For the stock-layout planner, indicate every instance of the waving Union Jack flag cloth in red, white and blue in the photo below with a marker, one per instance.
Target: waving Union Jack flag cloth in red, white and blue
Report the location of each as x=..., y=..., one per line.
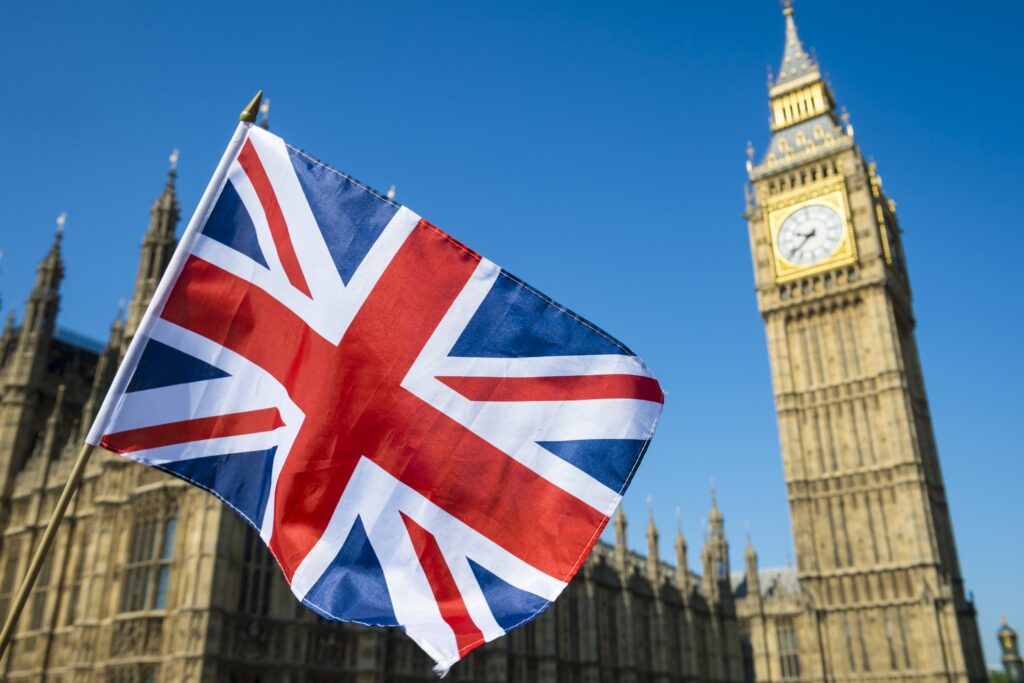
x=422, y=440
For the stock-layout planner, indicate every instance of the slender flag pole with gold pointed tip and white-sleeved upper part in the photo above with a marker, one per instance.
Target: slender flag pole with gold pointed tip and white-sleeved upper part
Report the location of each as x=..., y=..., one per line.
x=247, y=118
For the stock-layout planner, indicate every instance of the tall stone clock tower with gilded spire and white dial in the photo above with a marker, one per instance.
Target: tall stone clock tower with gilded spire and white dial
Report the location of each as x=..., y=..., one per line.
x=880, y=582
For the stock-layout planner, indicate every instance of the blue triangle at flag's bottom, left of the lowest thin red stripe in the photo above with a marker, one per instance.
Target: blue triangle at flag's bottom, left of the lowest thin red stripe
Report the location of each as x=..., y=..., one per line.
x=353, y=588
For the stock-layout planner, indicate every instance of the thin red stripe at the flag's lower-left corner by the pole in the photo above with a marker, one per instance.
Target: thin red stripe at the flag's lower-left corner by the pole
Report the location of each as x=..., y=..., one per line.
x=251, y=422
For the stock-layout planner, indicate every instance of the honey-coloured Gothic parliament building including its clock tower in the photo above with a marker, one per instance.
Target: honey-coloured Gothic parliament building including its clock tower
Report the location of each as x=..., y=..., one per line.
x=153, y=581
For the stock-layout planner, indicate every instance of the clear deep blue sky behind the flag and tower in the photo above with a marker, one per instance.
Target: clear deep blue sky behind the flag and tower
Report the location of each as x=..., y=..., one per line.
x=595, y=150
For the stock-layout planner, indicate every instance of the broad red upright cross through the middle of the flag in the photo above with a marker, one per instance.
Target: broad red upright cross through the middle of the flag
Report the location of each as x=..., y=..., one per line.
x=355, y=406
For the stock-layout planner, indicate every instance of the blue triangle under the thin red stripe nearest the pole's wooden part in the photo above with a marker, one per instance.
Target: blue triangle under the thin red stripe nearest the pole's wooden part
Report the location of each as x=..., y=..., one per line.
x=243, y=480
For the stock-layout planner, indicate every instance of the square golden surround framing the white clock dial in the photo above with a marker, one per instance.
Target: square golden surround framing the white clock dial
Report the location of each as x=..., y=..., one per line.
x=833, y=197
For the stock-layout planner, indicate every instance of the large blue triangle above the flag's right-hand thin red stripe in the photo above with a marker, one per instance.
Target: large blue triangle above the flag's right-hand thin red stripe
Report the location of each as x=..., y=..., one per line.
x=516, y=322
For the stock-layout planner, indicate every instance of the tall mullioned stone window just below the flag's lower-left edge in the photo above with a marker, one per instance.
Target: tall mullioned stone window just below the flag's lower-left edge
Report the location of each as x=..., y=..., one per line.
x=148, y=572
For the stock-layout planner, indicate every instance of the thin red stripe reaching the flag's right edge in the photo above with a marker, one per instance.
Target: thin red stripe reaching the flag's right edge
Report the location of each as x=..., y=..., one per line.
x=584, y=388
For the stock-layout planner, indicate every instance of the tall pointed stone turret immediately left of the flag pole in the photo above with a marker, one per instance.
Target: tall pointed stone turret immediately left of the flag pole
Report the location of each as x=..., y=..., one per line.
x=158, y=246
